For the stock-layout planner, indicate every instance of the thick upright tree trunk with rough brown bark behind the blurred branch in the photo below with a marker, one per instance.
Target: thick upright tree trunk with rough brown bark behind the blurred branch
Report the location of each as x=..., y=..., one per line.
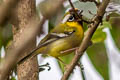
x=21, y=16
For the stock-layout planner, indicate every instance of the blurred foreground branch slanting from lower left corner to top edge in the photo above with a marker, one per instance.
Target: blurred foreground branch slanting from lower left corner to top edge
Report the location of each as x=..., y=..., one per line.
x=26, y=38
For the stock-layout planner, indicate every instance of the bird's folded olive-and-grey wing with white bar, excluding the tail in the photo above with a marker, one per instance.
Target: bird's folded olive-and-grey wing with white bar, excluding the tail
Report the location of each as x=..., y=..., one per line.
x=57, y=33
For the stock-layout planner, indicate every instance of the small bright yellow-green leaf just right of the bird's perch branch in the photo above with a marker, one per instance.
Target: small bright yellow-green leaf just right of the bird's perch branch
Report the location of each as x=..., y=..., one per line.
x=98, y=36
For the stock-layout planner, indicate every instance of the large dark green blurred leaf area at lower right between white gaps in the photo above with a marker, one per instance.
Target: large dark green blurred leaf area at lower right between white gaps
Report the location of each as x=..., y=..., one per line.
x=98, y=56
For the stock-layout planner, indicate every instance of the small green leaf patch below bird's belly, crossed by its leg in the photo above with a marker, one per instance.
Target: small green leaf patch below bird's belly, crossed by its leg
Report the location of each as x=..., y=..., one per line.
x=66, y=59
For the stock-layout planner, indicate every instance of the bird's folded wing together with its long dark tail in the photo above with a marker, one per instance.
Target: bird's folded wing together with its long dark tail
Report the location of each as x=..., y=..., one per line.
x=57, y=33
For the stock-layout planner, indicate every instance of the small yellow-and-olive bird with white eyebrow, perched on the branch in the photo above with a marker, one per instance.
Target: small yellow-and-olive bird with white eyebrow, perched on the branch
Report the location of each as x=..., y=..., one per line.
x=63, y=39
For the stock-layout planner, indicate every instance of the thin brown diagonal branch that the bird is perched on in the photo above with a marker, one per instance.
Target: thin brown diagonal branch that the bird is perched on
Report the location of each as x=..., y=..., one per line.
x=84, y=45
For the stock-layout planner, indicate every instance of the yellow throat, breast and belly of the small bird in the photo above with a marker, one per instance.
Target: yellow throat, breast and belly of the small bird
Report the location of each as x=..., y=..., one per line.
x=74, y=40
